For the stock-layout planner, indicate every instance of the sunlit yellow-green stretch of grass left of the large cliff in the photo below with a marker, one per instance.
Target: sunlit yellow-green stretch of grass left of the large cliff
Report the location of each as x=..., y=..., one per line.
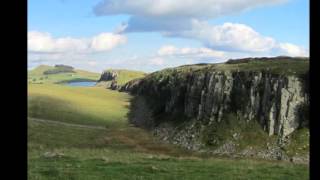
x=85, y=105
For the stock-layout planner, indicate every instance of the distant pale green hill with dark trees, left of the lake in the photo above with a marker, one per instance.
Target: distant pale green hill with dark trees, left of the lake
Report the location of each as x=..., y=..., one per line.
x=49, y=74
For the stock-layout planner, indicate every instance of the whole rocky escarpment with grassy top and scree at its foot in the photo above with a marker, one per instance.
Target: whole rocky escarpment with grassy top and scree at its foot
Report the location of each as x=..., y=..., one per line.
x=189, y=105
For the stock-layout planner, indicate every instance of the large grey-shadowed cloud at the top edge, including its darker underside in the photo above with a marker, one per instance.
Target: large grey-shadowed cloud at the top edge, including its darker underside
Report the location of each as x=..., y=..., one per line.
x=169, y=15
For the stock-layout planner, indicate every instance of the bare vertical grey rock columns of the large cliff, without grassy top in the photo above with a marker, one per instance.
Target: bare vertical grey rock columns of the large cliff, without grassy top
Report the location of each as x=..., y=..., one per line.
x=273, y=100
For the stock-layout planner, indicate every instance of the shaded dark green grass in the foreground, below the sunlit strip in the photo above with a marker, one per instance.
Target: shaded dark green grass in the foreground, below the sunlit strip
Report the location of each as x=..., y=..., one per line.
x=99, y=154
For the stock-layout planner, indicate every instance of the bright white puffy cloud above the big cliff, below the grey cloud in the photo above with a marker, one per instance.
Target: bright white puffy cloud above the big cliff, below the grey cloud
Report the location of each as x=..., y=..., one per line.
x=228, y=37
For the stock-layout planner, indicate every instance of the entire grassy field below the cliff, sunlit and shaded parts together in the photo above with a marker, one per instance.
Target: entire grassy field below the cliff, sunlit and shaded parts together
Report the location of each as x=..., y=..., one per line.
x=118, y=150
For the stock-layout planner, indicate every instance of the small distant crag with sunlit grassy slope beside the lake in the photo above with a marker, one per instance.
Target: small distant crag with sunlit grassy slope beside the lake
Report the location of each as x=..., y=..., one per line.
x=115, y=78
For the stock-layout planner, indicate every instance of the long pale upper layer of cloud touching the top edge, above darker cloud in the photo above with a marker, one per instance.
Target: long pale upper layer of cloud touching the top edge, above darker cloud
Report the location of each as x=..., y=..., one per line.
x=178, y=8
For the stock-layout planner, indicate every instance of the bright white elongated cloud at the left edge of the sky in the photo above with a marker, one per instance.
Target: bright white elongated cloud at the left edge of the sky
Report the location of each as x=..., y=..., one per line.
x=42, y=42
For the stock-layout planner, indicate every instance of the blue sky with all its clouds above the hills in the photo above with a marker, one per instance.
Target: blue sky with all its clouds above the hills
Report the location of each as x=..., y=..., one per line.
x=151, y=35
